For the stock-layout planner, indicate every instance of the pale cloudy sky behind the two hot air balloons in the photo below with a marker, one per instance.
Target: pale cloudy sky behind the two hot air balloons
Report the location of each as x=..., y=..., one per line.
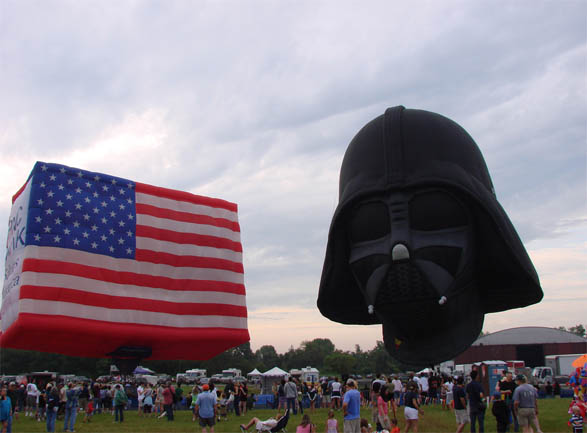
x=255, y=102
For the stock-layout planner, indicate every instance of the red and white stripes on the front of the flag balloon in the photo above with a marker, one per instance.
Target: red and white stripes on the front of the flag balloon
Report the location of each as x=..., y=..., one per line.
x=187, y=273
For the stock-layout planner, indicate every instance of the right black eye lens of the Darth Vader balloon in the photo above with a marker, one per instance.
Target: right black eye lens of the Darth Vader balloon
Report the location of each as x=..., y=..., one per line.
x=436, y=210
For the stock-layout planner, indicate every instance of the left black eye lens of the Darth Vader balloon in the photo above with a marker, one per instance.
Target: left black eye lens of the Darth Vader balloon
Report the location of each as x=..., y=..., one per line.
x=369, y=221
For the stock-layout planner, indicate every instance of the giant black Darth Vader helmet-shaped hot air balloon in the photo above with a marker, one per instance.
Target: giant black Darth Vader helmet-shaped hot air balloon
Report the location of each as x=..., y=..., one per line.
x=418, y=241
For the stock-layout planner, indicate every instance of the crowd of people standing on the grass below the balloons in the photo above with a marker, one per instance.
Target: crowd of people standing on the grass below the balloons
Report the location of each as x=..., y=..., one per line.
x=514, y=403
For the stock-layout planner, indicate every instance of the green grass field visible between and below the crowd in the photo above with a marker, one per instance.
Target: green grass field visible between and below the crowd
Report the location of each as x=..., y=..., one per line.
x=552, y=414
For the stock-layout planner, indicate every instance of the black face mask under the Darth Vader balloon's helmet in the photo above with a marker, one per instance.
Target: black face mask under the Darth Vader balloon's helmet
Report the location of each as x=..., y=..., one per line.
x=412, y=253
